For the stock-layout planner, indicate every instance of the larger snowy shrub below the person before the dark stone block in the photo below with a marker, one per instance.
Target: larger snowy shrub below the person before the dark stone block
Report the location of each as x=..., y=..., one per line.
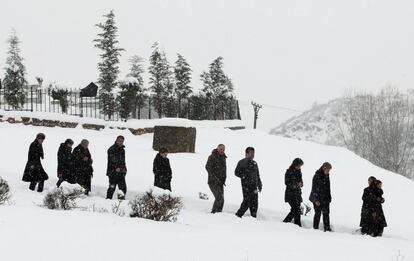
x=163, y=207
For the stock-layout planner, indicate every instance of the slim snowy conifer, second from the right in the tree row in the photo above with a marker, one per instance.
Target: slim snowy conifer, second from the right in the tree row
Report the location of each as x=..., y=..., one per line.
x=182, y=75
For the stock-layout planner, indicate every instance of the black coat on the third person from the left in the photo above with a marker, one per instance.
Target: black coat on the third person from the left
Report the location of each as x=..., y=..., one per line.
x=83, y=168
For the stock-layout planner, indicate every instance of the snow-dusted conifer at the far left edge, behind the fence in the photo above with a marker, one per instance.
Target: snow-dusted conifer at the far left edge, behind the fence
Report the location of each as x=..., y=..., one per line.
x=14, y=78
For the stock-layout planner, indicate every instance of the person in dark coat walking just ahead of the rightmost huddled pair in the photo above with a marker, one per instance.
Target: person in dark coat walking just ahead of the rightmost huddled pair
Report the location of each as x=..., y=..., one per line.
x=321, y=196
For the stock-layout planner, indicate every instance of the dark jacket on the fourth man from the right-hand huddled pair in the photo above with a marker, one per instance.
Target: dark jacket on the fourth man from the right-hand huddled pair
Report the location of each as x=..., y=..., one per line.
x=248, y=171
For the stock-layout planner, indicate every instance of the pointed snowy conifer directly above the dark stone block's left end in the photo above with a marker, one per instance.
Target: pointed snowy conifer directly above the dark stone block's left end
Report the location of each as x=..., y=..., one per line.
x=160, y=79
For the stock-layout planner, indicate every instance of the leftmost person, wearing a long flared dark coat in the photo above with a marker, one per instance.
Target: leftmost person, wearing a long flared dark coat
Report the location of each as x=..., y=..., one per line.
x=34, y=172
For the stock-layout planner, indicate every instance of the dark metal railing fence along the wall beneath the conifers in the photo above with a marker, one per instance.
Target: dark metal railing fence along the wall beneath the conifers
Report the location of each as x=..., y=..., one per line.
x=41, y=100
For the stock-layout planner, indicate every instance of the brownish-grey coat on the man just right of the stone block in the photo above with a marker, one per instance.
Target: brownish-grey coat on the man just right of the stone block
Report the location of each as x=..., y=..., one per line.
x=216, y=168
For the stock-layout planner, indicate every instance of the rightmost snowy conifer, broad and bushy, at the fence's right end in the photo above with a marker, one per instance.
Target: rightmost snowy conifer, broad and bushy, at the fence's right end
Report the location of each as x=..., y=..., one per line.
x=218, y=88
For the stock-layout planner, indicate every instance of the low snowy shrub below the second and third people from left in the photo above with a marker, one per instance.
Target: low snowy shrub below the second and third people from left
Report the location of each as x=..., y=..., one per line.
x=62, y=198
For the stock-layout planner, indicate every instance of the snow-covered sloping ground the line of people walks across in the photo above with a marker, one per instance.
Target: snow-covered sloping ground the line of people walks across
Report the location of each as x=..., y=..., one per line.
x=30, y=232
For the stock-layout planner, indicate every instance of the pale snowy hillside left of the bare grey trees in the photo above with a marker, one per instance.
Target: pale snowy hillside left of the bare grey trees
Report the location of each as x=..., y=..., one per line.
x=317, y=124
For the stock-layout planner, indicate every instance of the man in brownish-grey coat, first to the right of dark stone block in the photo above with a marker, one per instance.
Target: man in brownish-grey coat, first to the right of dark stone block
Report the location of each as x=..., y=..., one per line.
x=217, y=172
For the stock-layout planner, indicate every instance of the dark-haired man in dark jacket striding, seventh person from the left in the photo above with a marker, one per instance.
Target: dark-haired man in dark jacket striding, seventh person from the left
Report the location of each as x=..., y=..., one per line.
x=248, y=171
